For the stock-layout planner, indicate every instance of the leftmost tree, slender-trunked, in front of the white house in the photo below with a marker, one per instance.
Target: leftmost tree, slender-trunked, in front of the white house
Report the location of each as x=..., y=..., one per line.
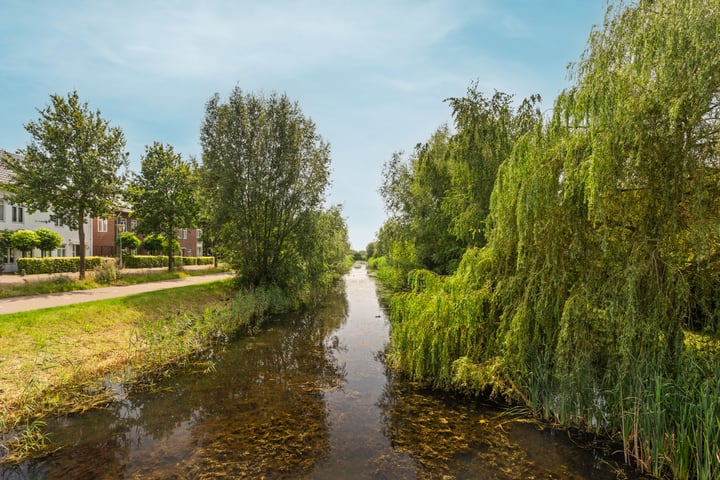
x=73, y=166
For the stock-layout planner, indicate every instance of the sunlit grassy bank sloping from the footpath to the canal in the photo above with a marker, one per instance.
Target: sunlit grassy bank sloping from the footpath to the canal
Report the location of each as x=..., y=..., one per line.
x=52, y=360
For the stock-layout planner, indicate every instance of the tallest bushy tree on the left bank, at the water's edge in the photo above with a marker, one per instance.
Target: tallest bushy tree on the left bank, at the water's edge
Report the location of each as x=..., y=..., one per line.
x=265, y=173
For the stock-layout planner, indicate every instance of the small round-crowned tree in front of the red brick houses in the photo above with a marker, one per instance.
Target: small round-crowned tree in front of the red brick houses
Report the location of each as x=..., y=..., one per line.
x=164, y=194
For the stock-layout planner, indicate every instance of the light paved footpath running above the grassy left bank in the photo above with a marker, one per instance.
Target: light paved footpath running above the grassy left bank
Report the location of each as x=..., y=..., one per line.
x=35, y=302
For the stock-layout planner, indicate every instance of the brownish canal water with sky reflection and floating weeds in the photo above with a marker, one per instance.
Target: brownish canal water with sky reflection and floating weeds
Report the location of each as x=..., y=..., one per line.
x=308, y=398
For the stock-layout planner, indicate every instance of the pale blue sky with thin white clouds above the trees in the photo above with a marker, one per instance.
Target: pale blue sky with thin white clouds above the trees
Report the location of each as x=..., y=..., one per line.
x=372, y=74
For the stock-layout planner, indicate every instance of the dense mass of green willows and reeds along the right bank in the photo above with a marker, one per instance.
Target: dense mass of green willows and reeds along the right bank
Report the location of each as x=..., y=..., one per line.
x=583, y=283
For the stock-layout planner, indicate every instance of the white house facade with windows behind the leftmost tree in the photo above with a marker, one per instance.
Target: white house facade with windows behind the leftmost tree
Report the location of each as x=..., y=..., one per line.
x=16, y=217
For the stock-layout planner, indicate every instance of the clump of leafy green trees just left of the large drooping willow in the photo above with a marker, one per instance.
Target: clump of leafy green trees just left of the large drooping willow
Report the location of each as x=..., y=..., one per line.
x=439, y=198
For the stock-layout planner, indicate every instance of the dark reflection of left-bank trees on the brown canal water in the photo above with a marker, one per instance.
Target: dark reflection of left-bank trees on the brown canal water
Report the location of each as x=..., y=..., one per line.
x=261, y=413
